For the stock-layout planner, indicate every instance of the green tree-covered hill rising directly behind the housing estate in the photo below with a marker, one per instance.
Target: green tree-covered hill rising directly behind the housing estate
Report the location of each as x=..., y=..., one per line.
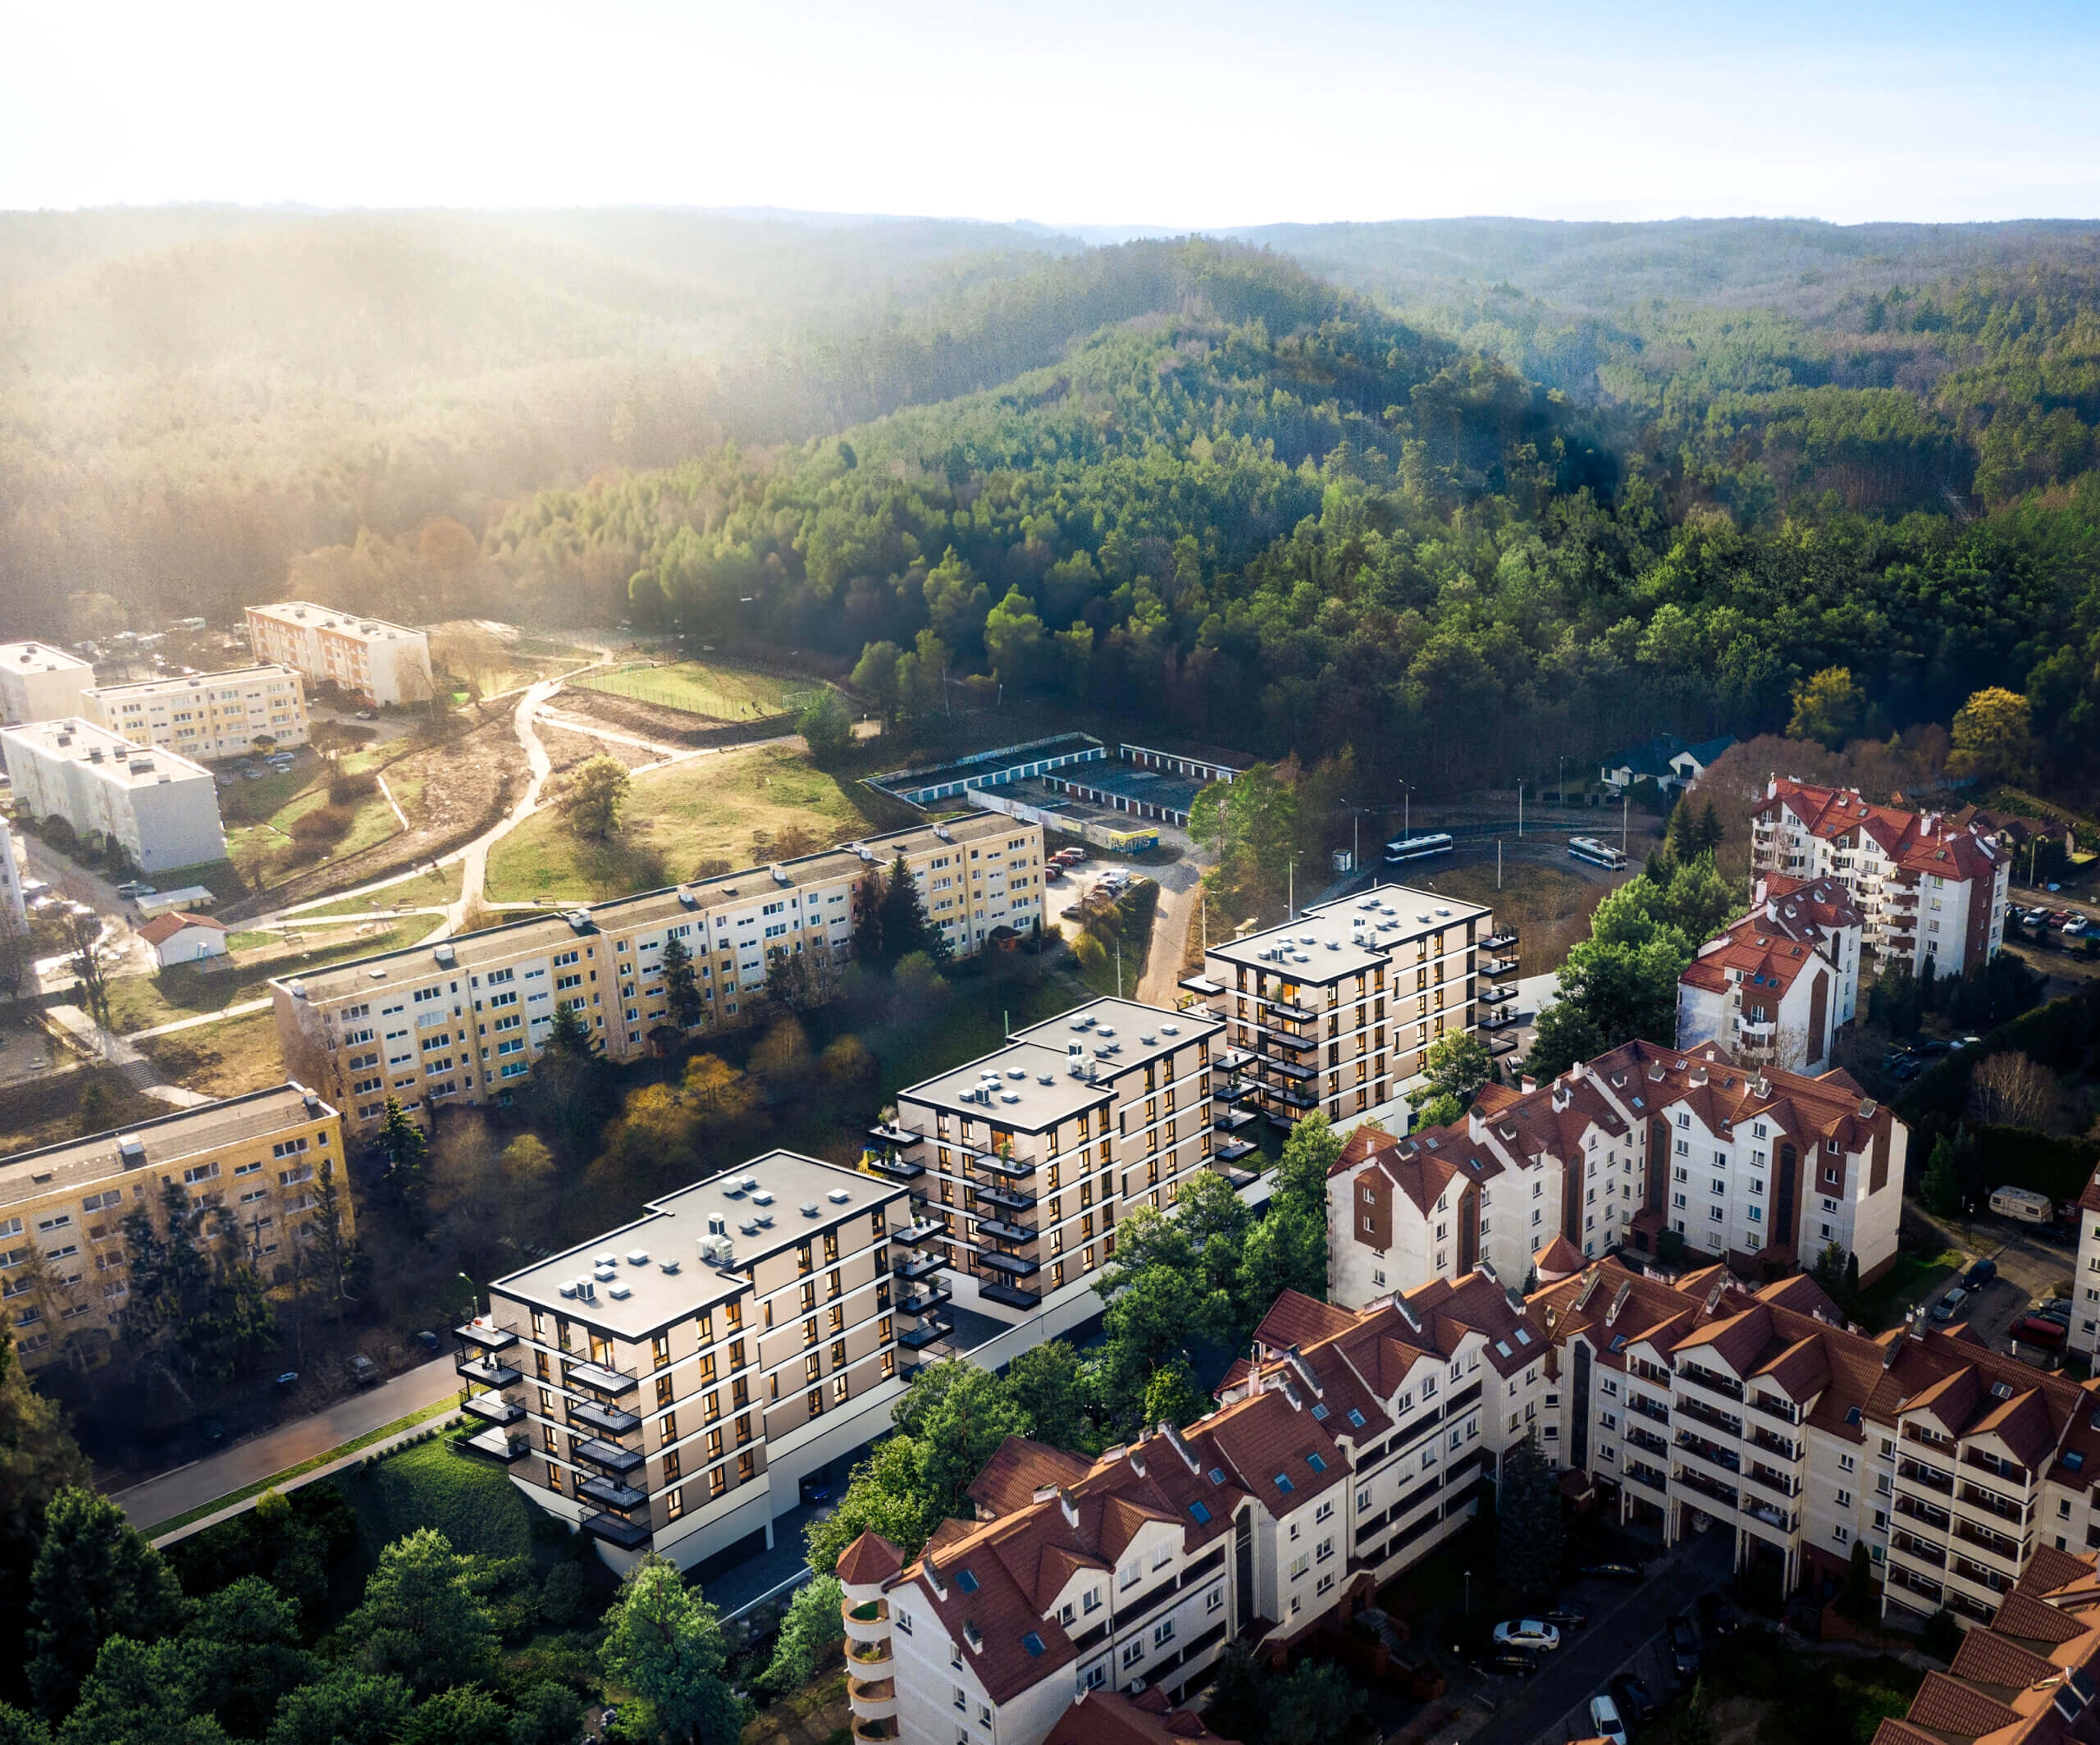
x=1286, y=522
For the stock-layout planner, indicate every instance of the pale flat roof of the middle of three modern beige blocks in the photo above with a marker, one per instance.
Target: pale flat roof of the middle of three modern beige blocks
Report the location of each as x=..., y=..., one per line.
x=1034, y=1087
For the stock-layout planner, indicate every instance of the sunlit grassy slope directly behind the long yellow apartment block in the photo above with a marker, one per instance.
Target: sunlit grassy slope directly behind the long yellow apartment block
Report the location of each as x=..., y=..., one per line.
x=734, y=810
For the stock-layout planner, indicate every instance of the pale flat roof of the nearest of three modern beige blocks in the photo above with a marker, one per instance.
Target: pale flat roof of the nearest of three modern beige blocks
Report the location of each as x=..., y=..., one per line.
x=669, y=1236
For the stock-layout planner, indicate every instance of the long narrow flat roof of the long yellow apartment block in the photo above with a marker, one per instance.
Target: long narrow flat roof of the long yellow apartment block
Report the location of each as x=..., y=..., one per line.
x=652, y=908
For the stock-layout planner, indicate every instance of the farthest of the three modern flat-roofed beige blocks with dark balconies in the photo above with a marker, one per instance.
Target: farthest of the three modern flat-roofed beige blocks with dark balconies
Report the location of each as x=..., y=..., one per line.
x=1337, y=1009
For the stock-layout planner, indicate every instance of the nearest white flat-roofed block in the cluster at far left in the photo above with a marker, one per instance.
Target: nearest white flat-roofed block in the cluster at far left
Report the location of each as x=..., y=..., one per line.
x=159, y=807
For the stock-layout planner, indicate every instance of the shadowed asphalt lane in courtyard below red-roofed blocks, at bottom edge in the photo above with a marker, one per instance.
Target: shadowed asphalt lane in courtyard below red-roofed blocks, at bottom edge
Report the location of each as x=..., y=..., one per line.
x=1624, y=1633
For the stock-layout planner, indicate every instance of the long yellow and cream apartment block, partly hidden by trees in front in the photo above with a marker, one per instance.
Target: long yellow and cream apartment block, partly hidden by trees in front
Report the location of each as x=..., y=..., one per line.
x=465, y=1019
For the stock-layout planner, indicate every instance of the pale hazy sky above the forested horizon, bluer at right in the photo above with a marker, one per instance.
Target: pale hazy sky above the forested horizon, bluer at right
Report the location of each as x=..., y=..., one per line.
x=1143, y=112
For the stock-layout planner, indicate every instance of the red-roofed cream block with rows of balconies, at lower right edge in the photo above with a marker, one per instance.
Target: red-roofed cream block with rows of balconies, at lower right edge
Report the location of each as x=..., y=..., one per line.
x=1765, y=1414
